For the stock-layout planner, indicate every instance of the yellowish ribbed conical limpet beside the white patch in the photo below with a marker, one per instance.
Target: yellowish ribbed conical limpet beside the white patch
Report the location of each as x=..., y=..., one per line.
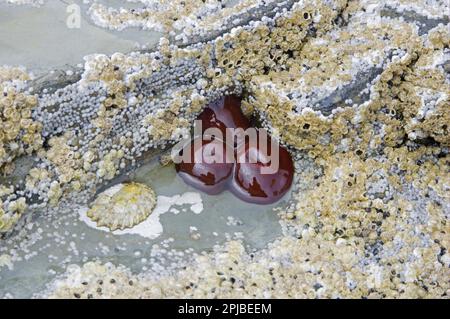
x=122, y=206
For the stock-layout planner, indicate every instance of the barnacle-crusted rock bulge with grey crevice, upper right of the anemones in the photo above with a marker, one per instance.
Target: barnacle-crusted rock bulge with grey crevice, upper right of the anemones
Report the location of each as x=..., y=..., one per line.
x=405, y=87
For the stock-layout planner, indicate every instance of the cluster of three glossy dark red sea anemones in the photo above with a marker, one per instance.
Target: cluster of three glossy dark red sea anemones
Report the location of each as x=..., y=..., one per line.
x=249, y=172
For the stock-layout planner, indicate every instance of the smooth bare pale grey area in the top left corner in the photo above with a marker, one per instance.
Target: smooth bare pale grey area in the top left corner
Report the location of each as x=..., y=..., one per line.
x=29, y=34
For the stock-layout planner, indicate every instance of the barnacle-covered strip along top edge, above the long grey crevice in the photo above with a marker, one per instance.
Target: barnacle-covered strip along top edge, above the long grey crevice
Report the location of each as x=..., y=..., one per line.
x=181, y=20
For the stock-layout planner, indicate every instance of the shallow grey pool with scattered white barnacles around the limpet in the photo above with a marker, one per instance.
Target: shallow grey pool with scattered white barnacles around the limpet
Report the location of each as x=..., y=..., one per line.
x=54, y=241
